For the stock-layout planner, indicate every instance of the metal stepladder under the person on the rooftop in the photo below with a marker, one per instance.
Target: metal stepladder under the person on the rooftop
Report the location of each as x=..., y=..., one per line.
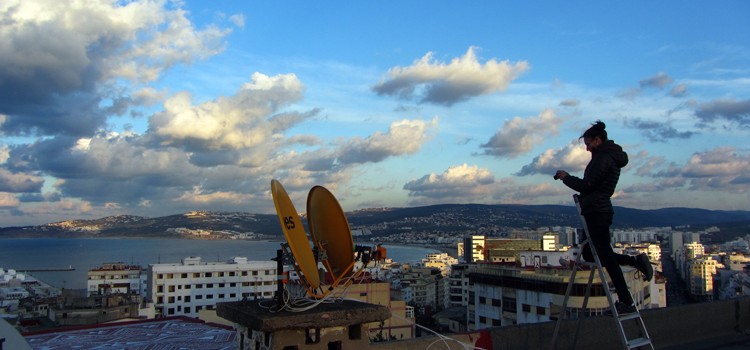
x=643, y=341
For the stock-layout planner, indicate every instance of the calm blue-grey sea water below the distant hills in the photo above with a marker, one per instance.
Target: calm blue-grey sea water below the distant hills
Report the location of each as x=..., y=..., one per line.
x=83, y=254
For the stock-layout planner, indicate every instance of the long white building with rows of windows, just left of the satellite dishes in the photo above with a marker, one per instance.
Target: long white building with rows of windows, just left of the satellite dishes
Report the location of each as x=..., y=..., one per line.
x=193, y=285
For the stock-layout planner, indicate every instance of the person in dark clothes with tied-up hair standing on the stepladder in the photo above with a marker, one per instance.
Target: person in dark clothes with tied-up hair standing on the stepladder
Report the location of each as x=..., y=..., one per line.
x=597, y=186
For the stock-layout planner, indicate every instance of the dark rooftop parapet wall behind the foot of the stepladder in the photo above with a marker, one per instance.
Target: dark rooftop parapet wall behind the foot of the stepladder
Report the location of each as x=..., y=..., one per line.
x=695, y=326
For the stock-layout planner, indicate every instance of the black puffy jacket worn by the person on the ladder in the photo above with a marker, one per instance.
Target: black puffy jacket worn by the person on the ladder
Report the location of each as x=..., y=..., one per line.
x=600, y=178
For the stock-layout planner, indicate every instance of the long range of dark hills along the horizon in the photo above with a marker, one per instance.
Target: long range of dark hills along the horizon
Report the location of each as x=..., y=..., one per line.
x=458, y=218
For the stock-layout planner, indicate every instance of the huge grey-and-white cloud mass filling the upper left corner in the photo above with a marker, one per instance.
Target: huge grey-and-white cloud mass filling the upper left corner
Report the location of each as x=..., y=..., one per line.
x=63, y=63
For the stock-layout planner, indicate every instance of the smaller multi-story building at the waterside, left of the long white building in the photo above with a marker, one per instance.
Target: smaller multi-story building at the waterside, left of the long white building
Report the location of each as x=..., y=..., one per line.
x=116, y=278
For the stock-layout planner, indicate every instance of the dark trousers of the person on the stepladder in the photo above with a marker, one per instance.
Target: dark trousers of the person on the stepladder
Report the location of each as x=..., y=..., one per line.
x=598, y=226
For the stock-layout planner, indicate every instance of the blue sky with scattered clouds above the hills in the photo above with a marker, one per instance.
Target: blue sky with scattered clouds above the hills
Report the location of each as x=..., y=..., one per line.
x=156, y=108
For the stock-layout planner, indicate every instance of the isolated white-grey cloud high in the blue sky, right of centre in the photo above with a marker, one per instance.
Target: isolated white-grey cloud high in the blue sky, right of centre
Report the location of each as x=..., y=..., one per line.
x=463, y=78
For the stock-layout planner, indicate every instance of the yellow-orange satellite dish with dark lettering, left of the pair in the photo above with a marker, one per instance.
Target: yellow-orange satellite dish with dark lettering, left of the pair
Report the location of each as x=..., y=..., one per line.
x=295, y=234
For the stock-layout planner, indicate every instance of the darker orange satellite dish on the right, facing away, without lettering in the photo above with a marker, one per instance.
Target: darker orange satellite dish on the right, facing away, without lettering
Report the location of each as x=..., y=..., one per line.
x=330, y=231
